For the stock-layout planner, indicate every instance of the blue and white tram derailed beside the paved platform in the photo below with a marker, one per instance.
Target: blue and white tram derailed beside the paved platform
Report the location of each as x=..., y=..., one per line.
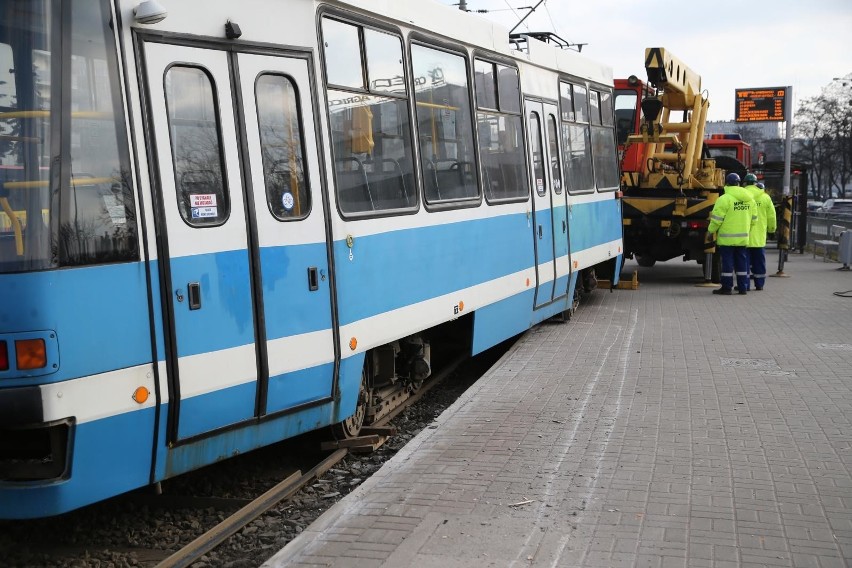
x=224, y=227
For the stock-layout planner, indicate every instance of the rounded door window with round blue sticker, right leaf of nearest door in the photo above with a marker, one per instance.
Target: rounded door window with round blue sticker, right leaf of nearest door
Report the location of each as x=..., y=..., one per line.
x=279, y=124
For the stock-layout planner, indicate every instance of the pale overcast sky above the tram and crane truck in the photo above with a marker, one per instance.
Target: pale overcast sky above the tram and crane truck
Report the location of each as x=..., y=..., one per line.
x=731, y=44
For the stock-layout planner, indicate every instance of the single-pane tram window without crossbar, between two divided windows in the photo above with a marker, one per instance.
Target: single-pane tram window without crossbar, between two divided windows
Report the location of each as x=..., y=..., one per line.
x=444, y=123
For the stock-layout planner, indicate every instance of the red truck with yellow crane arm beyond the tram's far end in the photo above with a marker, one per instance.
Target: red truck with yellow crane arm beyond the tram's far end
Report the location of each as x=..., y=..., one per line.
x=669, y=178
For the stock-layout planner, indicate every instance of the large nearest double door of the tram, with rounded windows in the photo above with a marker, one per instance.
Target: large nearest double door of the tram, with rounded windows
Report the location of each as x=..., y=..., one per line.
x=242, y=241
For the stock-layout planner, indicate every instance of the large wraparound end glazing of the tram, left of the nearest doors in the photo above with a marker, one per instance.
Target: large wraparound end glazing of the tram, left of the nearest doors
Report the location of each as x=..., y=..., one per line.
x=66, y=200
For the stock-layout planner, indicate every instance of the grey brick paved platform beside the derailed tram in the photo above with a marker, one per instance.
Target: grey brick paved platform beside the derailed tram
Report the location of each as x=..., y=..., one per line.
x=659, y=427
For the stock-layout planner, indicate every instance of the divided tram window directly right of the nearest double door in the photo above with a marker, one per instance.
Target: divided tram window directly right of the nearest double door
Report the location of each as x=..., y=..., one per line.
x=371, y=131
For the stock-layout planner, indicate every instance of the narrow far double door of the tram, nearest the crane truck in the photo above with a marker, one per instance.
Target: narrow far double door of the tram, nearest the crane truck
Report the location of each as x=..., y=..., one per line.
x=550, y=224
